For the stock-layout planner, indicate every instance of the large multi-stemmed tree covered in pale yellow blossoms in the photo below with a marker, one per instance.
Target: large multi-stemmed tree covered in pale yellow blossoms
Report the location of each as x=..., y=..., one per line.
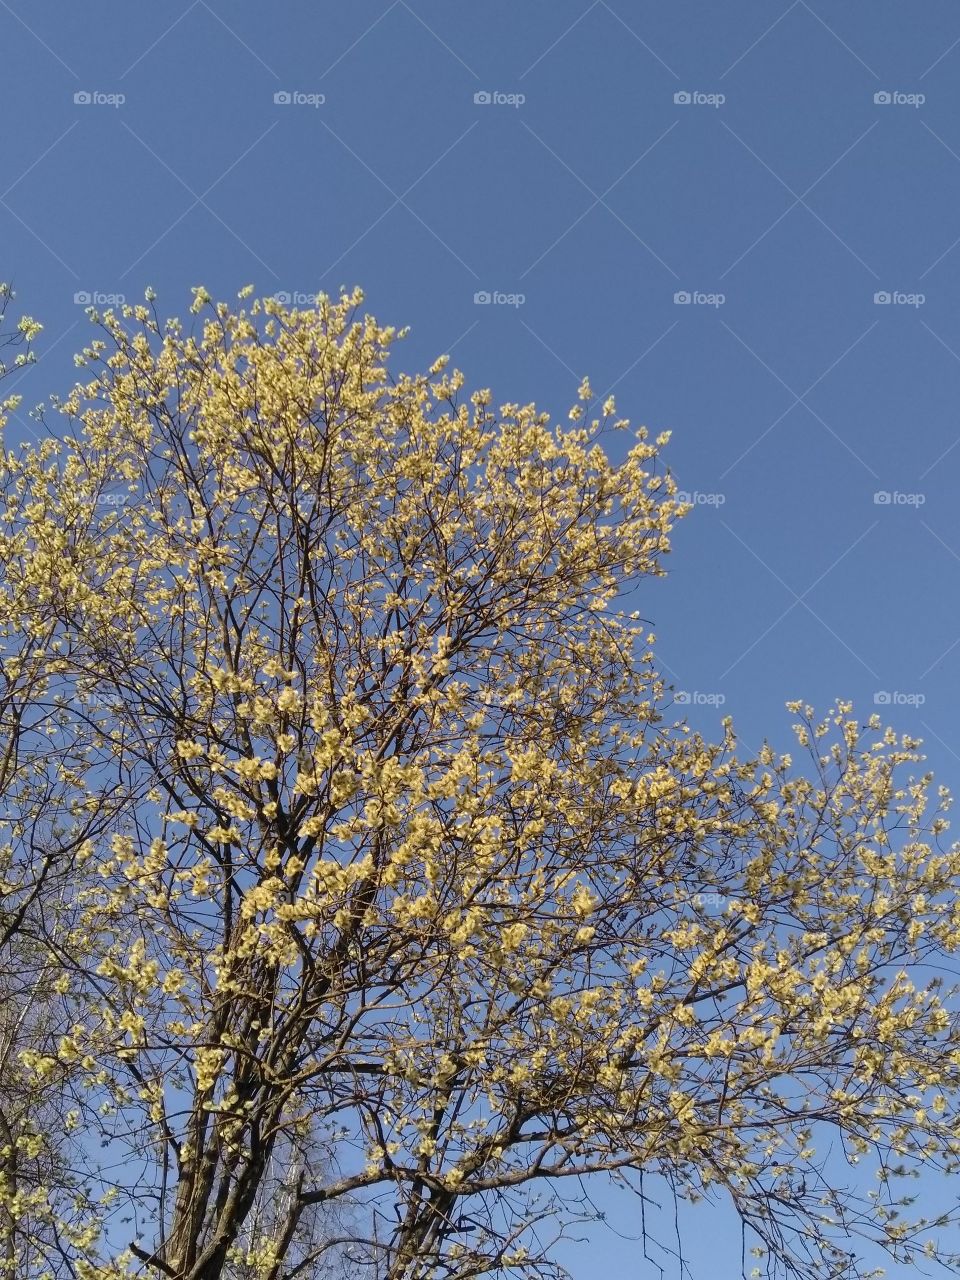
x=408, y=892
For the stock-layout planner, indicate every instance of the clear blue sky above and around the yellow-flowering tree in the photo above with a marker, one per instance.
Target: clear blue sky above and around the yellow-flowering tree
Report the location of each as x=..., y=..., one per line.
x=598, y=198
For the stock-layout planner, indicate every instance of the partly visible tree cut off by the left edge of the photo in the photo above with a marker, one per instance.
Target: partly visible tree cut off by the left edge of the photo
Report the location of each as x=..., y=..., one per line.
x=48, y=813
